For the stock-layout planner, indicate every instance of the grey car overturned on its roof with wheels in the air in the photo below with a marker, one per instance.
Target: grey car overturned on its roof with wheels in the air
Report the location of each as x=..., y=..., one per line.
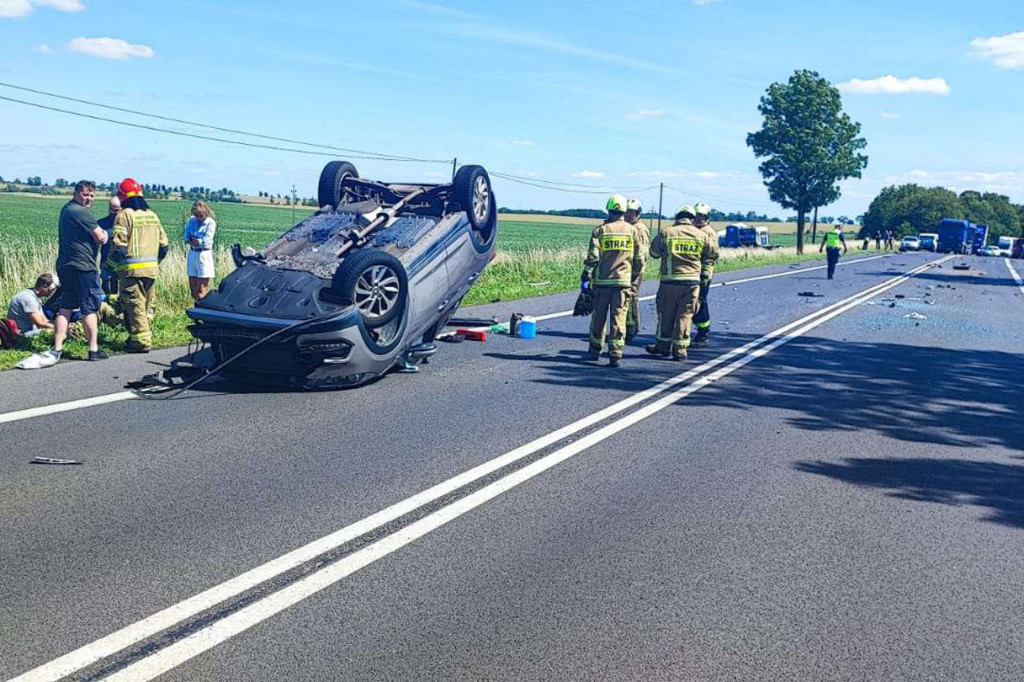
x=360, y=287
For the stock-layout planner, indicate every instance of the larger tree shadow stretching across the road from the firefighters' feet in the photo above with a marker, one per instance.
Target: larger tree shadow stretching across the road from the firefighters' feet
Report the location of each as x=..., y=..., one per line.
x=949, y=397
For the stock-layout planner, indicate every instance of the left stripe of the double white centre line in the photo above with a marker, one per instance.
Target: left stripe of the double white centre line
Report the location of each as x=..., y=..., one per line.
x=137, y=632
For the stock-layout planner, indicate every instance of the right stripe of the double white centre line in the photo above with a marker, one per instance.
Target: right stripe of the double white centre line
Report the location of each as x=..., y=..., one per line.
x=221, y=631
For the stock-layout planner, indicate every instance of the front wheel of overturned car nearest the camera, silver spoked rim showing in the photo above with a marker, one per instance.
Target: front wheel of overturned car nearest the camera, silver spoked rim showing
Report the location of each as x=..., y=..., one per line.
x=375, y=283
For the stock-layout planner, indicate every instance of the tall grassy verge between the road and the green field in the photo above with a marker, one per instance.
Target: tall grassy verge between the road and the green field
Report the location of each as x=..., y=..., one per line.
x=517, y=274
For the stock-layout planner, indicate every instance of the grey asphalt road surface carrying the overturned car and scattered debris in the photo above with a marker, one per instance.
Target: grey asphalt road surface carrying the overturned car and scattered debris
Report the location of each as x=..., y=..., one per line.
x=847, y=505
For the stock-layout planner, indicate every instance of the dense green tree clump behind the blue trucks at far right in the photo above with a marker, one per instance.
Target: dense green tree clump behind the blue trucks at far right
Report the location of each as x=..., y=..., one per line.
x=911, y=209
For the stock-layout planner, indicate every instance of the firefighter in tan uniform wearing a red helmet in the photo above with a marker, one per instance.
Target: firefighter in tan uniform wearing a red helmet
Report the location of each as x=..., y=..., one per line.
x=140, y=245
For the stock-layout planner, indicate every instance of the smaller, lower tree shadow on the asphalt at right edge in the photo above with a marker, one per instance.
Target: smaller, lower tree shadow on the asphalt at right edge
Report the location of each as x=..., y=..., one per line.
x=999, y=487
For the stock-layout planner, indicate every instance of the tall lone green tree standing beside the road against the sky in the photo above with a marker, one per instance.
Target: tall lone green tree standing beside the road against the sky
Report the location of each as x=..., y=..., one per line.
x=808, y=145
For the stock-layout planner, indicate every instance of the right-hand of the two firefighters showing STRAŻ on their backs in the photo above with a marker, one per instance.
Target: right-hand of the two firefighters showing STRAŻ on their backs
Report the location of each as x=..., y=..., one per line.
x=686, y=251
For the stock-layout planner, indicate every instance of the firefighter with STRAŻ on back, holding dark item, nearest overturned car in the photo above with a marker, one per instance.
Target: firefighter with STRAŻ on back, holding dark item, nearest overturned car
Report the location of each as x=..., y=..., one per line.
x=612, y=260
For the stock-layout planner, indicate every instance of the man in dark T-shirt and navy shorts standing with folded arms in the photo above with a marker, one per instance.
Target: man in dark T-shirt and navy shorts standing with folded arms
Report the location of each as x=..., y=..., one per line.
x=78, y=271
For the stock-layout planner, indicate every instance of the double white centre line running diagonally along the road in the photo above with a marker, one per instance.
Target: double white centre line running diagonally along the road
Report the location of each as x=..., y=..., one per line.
x=667, y=394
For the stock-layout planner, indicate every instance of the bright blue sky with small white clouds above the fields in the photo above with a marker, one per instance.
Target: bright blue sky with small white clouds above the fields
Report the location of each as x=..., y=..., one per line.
x=603, y=95
